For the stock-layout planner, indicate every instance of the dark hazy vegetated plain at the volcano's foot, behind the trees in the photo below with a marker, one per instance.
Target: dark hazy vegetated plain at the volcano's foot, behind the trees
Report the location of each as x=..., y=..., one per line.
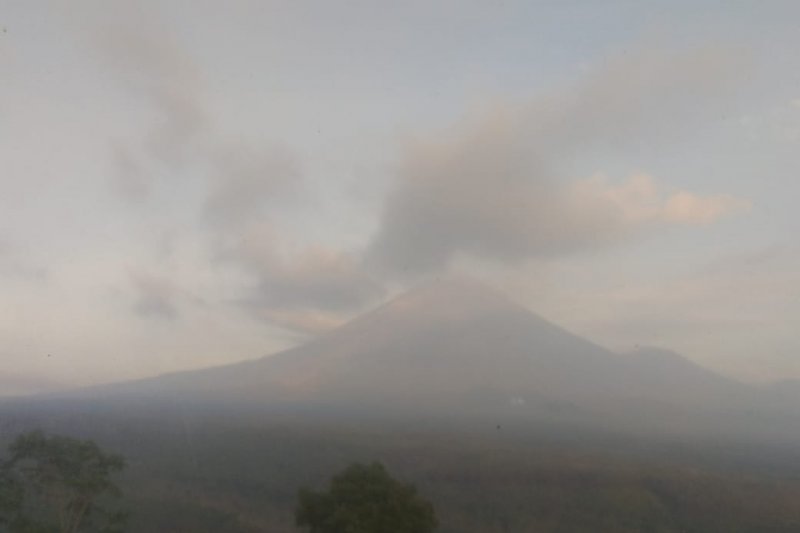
x=242, y=476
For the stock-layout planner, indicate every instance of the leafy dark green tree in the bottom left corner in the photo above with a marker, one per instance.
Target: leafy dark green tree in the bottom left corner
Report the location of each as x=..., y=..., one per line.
x=56, y=483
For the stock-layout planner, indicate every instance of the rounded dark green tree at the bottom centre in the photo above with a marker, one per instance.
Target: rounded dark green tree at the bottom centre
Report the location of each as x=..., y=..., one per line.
x=365, y=499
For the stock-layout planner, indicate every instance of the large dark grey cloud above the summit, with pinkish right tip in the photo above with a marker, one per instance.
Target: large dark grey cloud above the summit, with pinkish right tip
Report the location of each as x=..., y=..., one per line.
x=490, y=186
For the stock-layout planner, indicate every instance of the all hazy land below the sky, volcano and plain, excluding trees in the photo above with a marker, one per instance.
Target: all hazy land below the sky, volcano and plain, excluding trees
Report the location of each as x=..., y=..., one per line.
x=506, y=421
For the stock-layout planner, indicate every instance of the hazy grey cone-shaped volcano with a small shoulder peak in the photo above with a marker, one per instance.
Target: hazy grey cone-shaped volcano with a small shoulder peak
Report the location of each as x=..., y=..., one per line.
x=447, y=346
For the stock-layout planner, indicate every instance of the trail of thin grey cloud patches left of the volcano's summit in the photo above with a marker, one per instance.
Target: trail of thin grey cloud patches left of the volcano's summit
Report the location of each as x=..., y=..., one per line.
x=301, y=290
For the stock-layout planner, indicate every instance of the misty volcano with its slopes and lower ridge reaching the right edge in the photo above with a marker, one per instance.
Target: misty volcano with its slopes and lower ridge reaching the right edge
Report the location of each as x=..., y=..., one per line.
x=458, y=349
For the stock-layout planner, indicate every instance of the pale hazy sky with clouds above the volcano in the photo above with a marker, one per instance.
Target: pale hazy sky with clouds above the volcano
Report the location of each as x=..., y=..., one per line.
x=187, y=184
